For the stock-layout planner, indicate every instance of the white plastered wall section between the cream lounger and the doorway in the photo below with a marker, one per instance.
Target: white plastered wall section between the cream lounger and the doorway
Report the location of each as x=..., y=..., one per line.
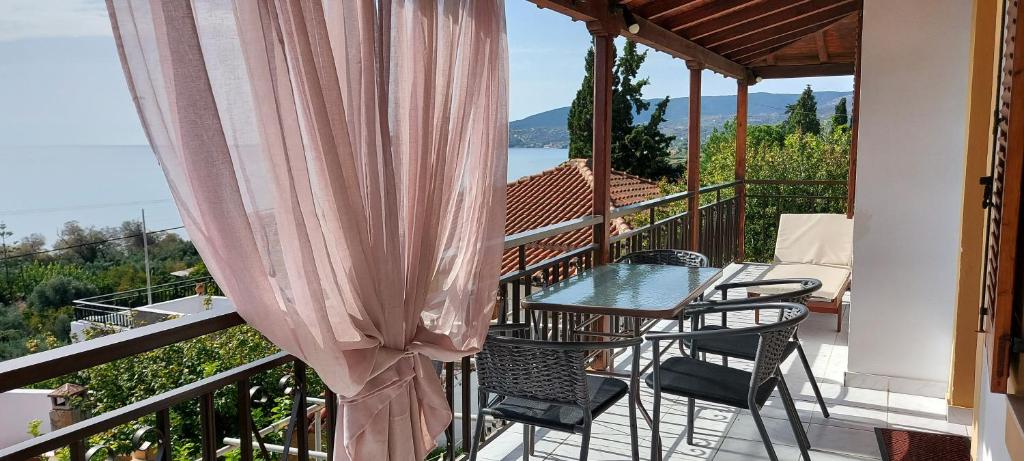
x=910, y=177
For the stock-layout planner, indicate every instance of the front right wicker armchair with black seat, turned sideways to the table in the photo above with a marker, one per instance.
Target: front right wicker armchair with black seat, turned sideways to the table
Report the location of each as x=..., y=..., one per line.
x=696, y=380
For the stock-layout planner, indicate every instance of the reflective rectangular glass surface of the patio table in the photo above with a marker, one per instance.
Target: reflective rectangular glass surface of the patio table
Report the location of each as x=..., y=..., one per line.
x=638, y=290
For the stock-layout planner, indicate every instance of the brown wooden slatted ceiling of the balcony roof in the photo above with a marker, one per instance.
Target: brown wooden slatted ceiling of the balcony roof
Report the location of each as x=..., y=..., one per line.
x=743, y=39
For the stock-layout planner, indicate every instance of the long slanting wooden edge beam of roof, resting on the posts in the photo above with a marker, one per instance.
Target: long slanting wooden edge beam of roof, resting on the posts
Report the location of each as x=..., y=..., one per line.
x=651, y=34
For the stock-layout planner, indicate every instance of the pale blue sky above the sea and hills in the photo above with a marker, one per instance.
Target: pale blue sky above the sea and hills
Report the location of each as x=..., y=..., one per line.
x=64, y=86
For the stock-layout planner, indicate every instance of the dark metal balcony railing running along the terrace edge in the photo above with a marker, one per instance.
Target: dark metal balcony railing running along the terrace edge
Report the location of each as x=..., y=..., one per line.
x=661, y=223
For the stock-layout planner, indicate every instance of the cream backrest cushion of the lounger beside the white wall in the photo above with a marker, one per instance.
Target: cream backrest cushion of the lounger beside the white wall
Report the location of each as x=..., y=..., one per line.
x=816, y=239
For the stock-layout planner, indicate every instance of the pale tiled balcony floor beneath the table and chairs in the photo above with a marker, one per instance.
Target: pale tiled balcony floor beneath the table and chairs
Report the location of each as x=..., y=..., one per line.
x=724, y=434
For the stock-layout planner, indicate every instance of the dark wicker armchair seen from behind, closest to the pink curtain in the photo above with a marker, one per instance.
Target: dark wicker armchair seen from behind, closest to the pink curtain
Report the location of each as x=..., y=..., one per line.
x=545, y=384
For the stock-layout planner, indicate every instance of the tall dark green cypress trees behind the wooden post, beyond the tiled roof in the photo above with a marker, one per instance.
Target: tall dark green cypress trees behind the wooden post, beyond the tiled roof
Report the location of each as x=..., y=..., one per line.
x=642, y=150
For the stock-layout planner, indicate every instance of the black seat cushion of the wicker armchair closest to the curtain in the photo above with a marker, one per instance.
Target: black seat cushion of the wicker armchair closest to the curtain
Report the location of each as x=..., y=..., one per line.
x=604, y=394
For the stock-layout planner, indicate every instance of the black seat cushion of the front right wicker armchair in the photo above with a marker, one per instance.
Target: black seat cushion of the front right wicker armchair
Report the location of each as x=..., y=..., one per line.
x=706, y=382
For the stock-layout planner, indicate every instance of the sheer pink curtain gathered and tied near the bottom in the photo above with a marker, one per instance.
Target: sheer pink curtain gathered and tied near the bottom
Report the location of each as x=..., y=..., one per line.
x=340, y=165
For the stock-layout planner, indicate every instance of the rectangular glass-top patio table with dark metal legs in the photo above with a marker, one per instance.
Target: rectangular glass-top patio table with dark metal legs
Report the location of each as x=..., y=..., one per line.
x=636, y=292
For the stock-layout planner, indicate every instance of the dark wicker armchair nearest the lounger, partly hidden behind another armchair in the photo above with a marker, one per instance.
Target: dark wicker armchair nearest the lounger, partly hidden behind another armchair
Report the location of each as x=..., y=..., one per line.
x=745, y=348
